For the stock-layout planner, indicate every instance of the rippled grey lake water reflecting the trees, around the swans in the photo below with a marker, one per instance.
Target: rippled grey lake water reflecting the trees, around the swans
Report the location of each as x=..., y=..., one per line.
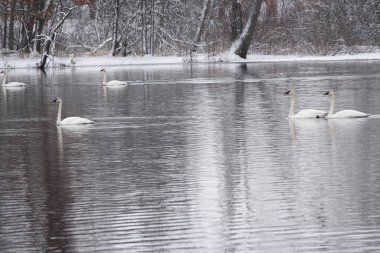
x=188, y=158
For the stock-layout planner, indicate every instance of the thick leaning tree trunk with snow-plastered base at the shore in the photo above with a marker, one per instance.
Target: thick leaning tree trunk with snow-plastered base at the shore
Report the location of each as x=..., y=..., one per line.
x=241, y=45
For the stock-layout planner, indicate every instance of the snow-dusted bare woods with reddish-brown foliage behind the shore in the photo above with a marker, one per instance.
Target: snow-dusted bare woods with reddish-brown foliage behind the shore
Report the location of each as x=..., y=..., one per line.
x=178, y=27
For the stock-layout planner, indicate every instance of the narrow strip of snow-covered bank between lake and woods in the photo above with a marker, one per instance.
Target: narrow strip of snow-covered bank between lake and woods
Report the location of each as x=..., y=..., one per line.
x=89, y=61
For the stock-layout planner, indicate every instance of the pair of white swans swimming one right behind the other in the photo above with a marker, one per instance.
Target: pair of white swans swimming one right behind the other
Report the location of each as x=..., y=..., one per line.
x=312, y=113
